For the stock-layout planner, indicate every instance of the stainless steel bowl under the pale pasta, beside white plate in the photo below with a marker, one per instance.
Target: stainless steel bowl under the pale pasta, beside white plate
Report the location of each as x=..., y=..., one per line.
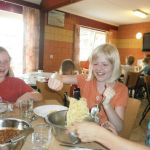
x=58, y=122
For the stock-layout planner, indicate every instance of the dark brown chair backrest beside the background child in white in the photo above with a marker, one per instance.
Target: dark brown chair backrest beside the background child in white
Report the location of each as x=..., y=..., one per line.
x=132, y=78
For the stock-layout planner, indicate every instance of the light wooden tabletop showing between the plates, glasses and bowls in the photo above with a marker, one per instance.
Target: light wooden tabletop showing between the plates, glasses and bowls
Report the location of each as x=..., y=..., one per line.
x=54, y=144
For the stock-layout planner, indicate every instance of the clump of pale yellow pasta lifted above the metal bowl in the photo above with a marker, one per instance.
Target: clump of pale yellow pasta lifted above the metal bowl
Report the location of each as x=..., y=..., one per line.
x=77, y=111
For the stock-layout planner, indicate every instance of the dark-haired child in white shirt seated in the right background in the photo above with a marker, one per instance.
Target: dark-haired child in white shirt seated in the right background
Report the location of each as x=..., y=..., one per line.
x=128, y=67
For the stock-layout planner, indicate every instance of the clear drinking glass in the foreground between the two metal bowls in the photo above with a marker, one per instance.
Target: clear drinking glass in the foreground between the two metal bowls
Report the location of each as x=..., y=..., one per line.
x=41, y=137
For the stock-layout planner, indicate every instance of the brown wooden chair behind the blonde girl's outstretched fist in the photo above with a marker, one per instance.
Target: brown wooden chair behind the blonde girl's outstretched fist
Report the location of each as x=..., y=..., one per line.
x=49, y=94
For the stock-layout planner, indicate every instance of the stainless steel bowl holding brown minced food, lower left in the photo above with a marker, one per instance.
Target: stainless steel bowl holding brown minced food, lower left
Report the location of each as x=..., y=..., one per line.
x=16, y=124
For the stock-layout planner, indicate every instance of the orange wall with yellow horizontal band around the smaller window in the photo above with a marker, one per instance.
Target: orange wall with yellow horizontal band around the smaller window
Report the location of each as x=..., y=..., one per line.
x=59, y=42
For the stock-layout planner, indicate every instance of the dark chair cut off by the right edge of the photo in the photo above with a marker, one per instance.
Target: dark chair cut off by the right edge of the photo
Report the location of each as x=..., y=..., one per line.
x=147, y=87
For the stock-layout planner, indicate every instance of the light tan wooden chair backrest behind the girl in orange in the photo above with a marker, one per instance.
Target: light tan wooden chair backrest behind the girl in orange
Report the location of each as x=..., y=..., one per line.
x=130, y=116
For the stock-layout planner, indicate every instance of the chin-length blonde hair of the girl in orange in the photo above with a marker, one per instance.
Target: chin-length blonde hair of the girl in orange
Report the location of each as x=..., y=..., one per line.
x=113, y=57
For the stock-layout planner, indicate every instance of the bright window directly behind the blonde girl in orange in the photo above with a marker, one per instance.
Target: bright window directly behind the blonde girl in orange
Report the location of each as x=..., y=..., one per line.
x=90, y=39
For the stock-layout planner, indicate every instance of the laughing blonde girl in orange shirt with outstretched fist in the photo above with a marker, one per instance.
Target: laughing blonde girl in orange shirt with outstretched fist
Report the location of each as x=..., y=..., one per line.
x=104, y=71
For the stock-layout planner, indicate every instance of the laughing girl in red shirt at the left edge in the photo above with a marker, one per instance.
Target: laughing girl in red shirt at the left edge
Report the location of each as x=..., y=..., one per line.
x=13, y=89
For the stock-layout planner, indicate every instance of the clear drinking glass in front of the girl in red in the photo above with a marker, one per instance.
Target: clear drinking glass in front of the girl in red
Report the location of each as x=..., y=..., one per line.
x=26, y=109
